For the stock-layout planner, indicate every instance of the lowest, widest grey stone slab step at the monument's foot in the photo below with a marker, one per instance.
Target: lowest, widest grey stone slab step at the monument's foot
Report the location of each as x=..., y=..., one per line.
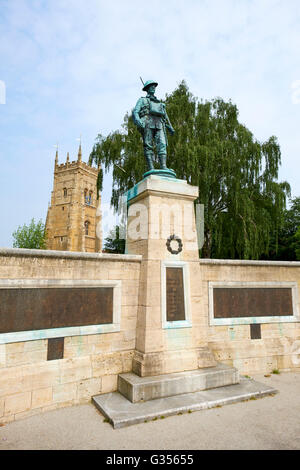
x=120, y=412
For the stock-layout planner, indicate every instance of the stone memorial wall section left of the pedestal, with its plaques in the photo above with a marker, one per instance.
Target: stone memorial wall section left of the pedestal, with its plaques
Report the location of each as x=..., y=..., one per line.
x=67, y=327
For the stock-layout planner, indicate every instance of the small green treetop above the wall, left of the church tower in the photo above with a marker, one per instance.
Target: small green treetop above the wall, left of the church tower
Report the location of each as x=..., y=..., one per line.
x=30, y=236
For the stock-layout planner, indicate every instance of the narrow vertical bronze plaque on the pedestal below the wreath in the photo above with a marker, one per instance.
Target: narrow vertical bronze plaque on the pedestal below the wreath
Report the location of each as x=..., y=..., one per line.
x=175, y=294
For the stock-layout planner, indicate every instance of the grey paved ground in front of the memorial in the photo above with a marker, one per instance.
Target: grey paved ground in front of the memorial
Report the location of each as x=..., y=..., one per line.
x=267, y=423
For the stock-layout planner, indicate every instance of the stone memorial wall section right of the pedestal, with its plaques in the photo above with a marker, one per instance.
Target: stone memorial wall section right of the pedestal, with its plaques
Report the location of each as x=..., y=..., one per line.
x=253, y=313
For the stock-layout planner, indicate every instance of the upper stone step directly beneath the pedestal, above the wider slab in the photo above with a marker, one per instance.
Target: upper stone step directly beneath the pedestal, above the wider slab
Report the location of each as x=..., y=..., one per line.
x=137, y=389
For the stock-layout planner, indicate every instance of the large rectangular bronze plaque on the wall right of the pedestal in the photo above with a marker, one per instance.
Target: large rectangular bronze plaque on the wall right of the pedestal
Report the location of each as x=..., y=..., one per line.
x=252, y=302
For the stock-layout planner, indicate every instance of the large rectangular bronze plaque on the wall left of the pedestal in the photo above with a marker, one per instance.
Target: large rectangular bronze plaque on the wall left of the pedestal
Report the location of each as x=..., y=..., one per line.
x=42, y=308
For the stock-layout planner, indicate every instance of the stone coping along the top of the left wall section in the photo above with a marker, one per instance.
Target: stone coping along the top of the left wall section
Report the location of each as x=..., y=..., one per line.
x=68, y=254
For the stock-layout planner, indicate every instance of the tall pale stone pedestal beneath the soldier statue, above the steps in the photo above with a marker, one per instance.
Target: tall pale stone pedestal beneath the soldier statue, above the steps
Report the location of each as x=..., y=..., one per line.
x=171, y=326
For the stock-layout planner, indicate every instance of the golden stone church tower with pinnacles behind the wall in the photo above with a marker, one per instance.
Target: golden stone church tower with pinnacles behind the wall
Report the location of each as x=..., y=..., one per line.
x=74, y=220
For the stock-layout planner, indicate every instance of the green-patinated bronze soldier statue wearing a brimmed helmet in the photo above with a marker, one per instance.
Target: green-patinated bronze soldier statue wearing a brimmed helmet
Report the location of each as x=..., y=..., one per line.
x=151, y=118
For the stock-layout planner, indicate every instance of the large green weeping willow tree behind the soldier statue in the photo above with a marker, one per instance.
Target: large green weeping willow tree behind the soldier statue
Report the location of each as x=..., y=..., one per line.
x=236, y=175
